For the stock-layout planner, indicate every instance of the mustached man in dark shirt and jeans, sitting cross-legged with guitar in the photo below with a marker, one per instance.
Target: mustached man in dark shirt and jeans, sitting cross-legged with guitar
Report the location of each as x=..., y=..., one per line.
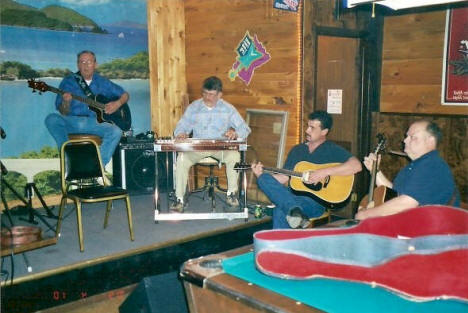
x=293, y=210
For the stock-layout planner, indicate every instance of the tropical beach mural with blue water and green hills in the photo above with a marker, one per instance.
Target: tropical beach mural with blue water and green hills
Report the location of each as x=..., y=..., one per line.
x=40, y=39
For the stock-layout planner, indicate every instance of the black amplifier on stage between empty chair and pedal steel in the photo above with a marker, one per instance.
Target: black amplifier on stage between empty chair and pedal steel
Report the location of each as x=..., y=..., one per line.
x=134, y=168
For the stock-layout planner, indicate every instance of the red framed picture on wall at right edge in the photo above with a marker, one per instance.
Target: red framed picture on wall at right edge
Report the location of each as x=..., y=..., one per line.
x=455, y=62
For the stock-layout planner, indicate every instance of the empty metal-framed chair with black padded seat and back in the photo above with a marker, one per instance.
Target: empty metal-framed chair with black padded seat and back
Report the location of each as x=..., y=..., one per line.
x=81, y=160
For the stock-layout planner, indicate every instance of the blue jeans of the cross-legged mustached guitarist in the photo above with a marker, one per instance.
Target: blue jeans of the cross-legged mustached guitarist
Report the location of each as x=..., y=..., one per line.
x=284, y=200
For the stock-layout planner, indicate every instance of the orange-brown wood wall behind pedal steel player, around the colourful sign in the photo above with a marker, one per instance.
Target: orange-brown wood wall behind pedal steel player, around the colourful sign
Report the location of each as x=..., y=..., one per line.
x=214, y=29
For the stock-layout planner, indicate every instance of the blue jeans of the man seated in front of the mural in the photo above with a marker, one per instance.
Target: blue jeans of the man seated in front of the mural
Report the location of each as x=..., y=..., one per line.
x=60, y=126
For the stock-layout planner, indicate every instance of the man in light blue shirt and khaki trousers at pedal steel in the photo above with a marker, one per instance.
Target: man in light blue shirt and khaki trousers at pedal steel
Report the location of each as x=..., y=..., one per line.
x=209, y=118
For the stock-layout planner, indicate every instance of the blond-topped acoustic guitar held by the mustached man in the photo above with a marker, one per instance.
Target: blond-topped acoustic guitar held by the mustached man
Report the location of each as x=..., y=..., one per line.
x=334, y=189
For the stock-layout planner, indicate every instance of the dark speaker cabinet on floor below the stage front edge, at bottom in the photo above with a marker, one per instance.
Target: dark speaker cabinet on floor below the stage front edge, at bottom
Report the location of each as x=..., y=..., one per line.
x=156, y=294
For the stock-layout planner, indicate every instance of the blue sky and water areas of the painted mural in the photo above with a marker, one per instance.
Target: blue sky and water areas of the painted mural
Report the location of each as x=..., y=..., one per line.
x=22, y=112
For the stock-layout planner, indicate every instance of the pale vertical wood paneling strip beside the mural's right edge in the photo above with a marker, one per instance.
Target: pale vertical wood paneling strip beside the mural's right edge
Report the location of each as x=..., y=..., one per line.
x=166, y=45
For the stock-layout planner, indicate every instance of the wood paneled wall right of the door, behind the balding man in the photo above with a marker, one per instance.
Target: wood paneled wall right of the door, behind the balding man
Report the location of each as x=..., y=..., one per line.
x=413, y=47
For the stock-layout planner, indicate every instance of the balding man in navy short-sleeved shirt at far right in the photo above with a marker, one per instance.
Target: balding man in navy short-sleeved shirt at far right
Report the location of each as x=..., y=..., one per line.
x=426, y=180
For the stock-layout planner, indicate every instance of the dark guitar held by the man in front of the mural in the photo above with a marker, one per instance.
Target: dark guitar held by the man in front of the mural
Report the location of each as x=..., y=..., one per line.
x=122, y=117
